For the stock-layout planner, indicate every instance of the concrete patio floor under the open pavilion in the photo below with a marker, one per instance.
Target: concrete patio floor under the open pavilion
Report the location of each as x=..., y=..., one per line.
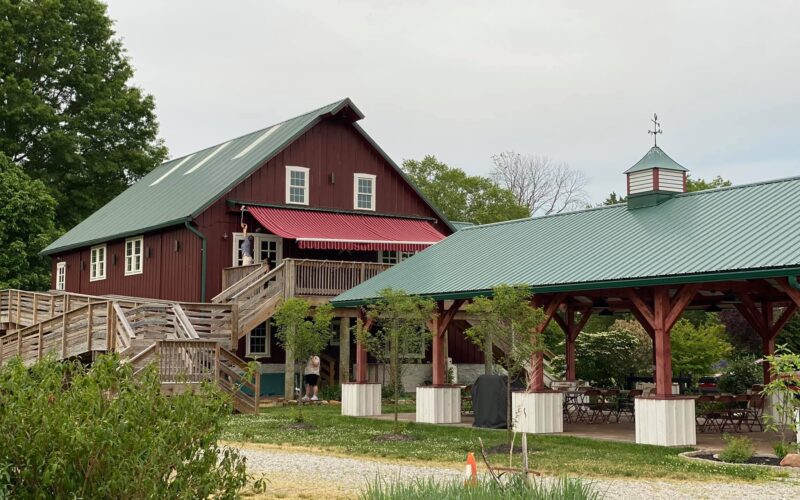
x=617, y=431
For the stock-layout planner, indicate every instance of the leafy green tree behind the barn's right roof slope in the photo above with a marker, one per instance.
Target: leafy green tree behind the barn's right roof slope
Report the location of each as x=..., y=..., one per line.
x=463, y=197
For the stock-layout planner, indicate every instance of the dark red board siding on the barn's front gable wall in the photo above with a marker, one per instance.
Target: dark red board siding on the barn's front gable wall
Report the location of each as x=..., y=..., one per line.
x=330, y=147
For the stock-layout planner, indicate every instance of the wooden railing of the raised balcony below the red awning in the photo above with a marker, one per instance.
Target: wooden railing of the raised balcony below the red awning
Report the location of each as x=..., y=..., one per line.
x=328, y=278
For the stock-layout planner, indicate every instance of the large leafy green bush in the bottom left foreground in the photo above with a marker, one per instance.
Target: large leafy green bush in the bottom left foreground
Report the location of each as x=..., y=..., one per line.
x=101, y=433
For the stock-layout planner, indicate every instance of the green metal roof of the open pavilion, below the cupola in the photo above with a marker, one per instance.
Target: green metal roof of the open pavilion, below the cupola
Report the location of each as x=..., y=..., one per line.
x=728, y=233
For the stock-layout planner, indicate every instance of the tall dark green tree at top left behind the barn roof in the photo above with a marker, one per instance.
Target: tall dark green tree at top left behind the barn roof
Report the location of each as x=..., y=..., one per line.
x=69, y=115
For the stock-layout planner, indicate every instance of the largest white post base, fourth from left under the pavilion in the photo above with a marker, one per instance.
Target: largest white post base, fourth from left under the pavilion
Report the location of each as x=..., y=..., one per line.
x=665, y=422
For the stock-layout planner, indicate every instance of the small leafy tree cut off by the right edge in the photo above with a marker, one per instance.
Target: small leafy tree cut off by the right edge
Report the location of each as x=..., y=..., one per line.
x=785, y=385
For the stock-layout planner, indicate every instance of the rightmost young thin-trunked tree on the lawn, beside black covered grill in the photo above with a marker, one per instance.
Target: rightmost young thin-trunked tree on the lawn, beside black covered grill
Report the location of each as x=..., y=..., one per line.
x=509, y=321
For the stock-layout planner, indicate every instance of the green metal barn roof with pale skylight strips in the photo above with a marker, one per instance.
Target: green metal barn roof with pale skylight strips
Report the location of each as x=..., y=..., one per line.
x=181, y=189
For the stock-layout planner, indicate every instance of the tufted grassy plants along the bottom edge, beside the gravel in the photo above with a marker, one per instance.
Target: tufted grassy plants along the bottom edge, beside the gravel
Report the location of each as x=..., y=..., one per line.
x=512, y=489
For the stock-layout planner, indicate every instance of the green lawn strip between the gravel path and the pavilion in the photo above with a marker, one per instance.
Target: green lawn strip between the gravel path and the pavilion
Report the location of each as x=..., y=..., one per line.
x=555, y=455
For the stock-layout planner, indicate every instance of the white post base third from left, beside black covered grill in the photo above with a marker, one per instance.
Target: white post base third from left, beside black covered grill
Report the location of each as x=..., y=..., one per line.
x=537, y=412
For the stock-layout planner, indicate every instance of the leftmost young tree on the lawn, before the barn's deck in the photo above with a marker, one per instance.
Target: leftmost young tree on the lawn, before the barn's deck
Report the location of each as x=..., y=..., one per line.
x=303, y=333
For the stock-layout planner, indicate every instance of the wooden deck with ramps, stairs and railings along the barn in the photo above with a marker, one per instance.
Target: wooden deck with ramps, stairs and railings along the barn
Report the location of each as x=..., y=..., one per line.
x=189, y=342
